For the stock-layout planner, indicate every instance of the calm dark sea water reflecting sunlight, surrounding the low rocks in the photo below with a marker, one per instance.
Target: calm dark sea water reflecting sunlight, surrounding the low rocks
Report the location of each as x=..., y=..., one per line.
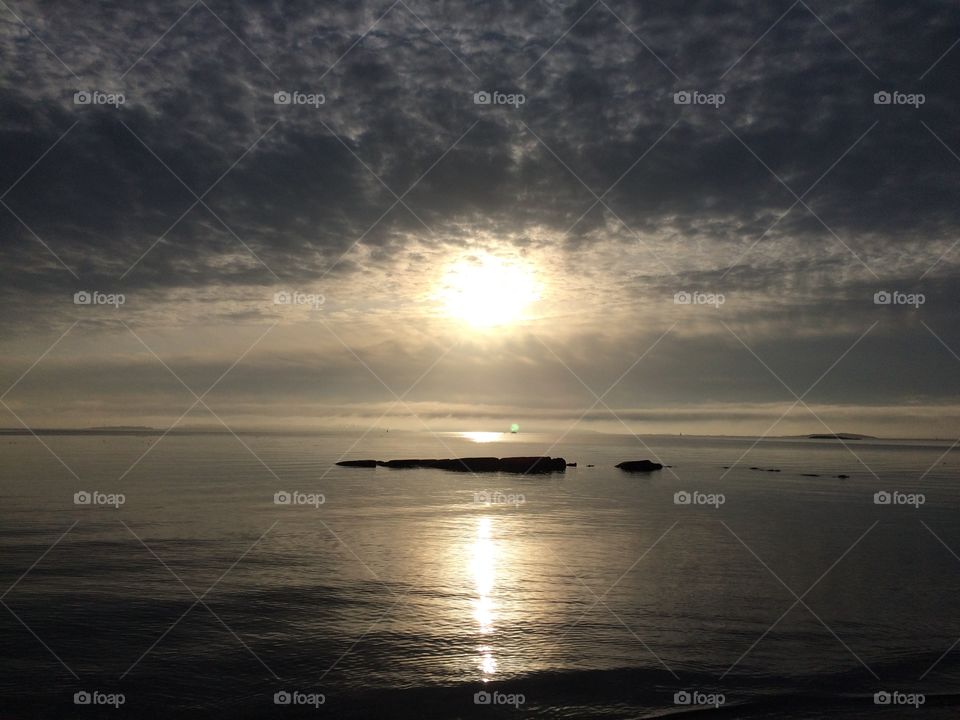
x=589, y=594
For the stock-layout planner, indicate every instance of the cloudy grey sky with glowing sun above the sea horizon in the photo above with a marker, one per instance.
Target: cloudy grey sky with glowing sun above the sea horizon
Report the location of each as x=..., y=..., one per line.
x=669, y=217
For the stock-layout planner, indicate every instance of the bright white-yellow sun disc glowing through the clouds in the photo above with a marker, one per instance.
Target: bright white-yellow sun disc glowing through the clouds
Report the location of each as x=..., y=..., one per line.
x=488, y=291
